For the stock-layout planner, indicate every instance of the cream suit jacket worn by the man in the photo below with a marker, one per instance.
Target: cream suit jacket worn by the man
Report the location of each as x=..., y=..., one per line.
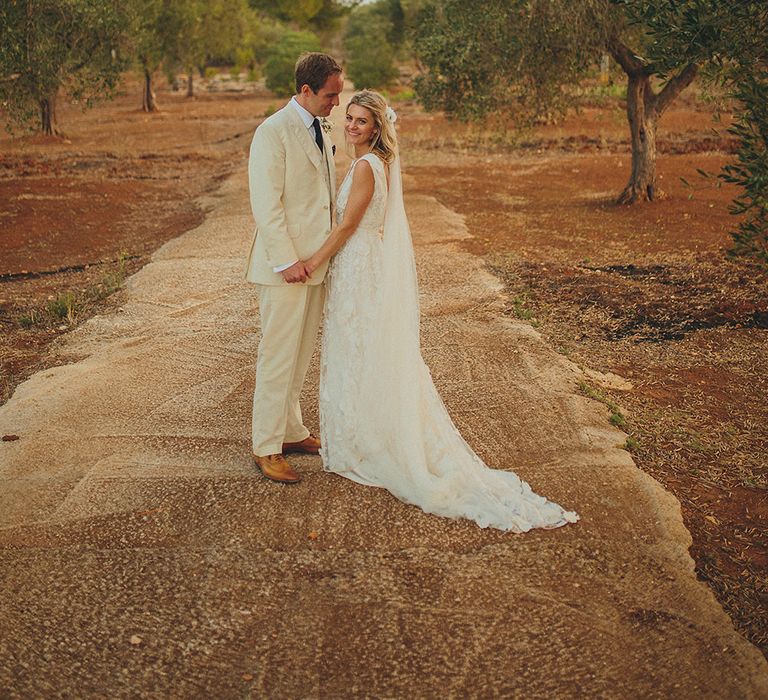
x=293, y=191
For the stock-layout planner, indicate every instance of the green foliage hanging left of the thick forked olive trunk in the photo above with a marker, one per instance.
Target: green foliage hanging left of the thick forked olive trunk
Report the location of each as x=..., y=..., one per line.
x=504, y=56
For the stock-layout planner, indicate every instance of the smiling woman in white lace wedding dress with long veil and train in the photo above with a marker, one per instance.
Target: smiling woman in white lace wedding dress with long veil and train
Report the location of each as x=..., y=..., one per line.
x=382, y=422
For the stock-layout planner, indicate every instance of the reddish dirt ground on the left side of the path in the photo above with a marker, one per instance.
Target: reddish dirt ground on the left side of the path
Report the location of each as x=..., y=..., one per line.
x=81, y=212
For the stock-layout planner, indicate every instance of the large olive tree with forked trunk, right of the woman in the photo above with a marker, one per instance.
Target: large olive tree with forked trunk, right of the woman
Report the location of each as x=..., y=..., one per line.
x=521, y=56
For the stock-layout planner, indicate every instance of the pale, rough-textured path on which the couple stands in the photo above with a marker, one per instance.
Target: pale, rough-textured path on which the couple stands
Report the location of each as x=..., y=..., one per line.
x=143, y=556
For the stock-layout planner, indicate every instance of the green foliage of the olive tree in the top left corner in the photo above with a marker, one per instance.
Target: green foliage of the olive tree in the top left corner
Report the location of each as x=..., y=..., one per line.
x=50, y=45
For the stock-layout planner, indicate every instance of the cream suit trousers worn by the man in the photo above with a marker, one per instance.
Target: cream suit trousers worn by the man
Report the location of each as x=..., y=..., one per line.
x=290, y=318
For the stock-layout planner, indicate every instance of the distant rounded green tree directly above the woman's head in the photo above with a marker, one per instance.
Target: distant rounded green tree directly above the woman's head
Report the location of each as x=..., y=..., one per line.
x=370, y=43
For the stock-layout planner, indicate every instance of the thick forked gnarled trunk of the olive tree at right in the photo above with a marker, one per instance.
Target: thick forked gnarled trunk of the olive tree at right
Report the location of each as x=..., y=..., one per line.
x=644, y=108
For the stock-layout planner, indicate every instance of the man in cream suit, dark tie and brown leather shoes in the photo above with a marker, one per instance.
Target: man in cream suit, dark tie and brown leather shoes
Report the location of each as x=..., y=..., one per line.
x=292, y=182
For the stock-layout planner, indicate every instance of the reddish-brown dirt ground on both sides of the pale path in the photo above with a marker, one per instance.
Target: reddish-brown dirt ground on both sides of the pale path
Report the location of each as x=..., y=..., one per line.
x=644, y=292
